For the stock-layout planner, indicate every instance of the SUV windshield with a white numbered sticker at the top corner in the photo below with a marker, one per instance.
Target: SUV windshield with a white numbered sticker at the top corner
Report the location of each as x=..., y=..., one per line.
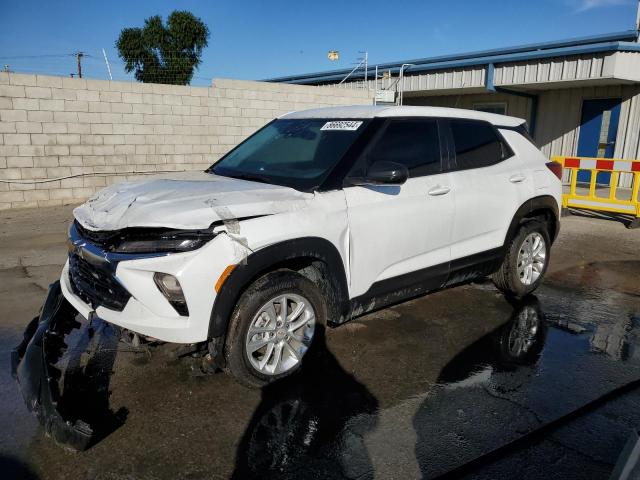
x=298, y=153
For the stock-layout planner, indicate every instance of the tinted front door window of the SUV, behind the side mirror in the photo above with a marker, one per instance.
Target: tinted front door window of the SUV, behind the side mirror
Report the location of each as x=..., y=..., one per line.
x=413, y=143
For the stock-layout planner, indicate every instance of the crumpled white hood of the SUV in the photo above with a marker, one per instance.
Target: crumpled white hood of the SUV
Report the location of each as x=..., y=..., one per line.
x=189, y=200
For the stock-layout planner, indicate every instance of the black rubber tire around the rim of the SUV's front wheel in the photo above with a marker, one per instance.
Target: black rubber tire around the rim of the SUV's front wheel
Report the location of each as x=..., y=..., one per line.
x=254, y=297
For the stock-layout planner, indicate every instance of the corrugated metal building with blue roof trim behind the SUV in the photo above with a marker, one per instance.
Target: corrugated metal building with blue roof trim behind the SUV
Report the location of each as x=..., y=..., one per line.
x=580, y=96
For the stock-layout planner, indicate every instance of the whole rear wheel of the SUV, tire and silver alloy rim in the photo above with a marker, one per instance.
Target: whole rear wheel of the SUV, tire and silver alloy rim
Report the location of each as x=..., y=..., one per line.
x=525, y=261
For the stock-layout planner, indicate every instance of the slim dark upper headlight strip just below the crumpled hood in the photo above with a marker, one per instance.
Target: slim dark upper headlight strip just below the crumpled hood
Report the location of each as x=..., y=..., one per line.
x=167, y=241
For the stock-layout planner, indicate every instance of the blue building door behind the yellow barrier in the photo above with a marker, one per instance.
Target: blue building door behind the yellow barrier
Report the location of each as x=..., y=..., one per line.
x=598, y=130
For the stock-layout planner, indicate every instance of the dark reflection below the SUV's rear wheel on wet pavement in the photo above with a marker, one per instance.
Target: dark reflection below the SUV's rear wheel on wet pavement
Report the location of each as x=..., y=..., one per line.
x=475, y=390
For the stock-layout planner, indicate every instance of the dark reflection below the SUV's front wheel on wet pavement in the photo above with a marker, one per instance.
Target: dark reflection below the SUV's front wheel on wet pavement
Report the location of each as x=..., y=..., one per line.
x=311, y=425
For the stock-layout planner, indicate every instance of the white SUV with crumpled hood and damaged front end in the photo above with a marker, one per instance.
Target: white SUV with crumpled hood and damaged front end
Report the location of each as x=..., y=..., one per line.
x=320, y=216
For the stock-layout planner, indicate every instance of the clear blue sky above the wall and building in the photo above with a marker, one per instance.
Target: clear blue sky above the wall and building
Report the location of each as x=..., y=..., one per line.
x=262, y=39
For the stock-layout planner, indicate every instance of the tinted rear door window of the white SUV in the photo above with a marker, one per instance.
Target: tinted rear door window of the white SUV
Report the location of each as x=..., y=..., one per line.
x=477, y=144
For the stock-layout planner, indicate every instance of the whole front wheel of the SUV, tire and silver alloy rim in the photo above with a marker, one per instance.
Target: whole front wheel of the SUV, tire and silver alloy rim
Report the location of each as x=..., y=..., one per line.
x=273, y=327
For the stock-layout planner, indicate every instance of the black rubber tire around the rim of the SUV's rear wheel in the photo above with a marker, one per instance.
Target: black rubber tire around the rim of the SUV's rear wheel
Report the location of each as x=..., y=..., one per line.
x=507, y=278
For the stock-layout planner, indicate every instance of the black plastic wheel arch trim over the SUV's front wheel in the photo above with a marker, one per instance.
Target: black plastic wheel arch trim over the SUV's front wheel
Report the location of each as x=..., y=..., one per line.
x=308, y=255
